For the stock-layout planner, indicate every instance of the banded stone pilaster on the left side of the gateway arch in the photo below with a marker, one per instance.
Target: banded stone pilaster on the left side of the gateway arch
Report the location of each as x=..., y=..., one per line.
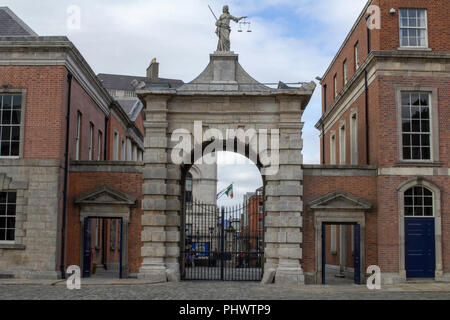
x=155, y=204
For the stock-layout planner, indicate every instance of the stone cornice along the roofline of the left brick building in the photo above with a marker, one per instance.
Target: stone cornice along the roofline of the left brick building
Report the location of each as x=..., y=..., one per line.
x=50, y=51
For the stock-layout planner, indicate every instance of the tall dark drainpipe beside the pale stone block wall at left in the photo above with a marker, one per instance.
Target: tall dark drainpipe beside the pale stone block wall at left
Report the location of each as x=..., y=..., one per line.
x=66, y=179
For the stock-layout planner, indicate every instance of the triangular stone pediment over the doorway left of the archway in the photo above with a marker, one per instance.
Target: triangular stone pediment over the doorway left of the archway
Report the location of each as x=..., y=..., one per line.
x=106, y=195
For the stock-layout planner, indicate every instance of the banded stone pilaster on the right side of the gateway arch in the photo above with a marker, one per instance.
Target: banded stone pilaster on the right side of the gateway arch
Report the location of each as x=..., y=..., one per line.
x=286, y=212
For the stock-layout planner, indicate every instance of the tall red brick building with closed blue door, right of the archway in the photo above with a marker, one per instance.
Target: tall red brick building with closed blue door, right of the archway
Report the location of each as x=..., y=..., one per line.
x=385, y=106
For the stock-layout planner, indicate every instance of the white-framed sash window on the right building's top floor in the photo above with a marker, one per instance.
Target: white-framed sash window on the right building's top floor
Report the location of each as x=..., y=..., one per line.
x=413, y=28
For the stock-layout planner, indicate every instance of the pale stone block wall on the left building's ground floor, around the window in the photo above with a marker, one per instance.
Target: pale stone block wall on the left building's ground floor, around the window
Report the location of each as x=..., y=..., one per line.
x=38, y=187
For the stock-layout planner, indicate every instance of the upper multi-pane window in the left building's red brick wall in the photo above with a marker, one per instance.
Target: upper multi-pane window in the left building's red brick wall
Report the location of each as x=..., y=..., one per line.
x=10, y=122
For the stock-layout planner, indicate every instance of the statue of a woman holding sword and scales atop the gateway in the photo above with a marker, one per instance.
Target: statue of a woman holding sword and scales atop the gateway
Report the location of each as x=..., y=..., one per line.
x=223, y=29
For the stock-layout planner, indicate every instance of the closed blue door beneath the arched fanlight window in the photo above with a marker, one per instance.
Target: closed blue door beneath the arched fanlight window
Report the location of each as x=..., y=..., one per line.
x=420, y=254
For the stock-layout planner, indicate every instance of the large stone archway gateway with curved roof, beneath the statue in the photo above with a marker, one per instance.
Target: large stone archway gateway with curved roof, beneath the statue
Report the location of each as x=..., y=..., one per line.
x=223, y=97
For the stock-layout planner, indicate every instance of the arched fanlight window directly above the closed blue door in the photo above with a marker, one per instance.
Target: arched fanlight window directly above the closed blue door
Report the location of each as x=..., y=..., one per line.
x=418, y=202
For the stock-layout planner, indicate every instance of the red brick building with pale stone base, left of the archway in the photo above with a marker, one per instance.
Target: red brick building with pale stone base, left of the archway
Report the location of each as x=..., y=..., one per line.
x=46, y=81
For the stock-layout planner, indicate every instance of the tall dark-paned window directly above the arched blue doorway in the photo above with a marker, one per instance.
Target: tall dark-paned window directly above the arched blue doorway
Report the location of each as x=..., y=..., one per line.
x=416, y=132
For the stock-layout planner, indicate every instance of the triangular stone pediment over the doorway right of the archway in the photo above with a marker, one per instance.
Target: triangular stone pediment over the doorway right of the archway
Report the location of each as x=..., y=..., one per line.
x=339, y=201
